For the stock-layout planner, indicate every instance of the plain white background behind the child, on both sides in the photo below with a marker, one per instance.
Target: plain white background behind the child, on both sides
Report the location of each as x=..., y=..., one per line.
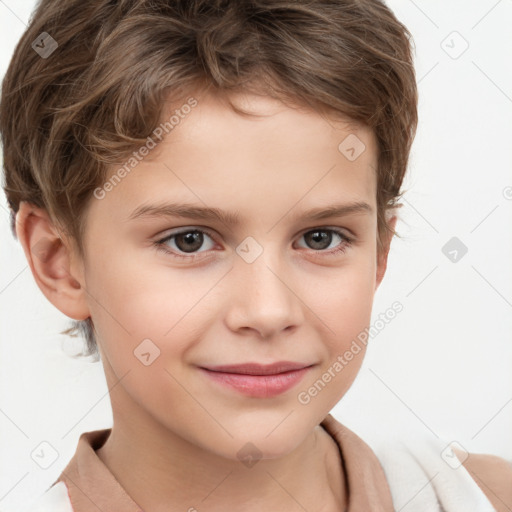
x=442, y=367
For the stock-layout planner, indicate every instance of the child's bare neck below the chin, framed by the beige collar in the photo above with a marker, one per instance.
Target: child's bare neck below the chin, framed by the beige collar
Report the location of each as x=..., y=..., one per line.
x=161, y=471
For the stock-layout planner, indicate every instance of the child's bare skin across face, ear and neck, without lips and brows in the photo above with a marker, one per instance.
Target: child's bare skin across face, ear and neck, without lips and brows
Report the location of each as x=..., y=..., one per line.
x=176, y=433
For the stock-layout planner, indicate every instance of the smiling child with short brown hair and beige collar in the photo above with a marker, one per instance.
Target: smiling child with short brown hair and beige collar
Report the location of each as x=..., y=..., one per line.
x=132, y=129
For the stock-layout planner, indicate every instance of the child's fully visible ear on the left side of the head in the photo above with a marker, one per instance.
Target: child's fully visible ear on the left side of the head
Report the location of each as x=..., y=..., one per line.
x=52, y=262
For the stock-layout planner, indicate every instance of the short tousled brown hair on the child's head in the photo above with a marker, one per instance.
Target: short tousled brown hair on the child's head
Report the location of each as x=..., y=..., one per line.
x=66, y=118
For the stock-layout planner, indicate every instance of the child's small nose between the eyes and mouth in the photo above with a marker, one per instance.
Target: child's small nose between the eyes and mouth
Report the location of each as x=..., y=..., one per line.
x=265, y=297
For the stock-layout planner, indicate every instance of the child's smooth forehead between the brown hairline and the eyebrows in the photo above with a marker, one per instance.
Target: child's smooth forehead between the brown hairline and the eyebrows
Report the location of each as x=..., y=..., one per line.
x=280, y=153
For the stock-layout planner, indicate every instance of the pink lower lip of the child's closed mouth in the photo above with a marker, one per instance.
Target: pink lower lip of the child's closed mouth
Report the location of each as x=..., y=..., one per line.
x=259, y=386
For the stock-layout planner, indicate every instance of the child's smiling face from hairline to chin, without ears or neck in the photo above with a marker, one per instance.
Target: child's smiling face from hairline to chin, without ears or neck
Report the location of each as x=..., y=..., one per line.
x=222, y=302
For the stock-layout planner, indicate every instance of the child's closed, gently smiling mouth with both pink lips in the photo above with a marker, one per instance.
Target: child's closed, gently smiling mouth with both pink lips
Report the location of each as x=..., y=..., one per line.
x=258, y=380
